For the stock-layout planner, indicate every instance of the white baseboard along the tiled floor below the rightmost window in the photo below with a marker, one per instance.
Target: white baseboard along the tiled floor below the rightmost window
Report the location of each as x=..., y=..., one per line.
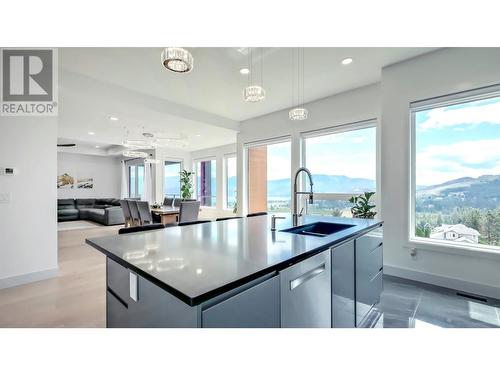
x=447, y=282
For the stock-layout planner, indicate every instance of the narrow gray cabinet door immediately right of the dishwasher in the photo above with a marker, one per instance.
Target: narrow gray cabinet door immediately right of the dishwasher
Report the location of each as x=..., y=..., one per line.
x=343, y=286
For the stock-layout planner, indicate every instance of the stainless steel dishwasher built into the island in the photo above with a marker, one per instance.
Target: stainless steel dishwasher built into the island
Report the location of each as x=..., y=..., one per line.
x=306, y=294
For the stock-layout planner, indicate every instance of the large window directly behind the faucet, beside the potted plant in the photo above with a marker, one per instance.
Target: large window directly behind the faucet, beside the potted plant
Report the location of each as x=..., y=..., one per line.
x=342, y=161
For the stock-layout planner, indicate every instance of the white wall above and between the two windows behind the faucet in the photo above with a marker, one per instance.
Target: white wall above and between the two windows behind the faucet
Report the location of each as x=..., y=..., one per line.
x=345, y=108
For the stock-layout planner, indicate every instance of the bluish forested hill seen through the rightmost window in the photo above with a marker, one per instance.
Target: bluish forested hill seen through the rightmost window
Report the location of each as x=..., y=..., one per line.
x=481, y=192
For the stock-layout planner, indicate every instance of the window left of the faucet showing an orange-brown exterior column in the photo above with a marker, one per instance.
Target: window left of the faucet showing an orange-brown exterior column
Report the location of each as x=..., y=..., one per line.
x=269, y=177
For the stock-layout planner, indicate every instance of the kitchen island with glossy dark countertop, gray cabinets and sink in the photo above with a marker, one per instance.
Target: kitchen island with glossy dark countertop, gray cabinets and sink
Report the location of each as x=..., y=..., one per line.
x=239, y=273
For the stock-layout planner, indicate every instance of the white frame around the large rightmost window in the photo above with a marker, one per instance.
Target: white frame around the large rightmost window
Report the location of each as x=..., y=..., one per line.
x=427, y=104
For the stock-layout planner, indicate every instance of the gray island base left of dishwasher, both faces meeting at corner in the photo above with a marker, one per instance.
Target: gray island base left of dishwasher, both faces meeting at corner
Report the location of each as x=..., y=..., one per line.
x=134, y=302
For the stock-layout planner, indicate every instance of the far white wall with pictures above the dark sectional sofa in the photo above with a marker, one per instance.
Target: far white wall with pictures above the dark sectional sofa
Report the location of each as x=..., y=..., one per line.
x=105, y=170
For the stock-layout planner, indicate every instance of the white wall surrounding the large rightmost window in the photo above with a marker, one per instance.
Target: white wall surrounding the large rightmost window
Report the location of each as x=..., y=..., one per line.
x=439, y=73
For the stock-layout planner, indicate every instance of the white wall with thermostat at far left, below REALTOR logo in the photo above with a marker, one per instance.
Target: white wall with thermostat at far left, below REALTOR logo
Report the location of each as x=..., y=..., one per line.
x=28, y=224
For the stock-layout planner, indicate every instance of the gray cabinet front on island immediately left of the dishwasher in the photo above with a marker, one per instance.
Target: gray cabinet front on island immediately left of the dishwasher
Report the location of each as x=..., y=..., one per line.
x=256, y=307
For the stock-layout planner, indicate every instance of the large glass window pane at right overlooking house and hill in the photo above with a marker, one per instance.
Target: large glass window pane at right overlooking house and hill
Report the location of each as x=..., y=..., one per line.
x=456, y=170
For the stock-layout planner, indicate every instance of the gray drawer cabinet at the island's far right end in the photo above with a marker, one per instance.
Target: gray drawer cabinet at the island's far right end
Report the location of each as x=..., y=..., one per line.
x=369, y=271
